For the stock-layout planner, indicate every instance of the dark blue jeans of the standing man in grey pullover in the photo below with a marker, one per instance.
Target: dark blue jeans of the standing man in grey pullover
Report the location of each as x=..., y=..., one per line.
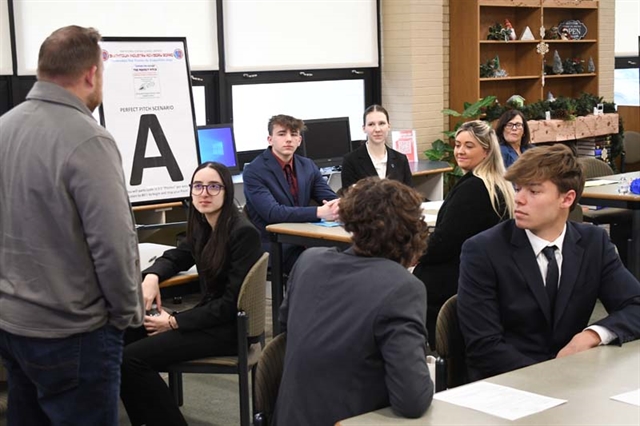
x=65, y=381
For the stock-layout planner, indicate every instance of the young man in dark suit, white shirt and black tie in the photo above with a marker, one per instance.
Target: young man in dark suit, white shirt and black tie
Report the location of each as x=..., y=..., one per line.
x=528, y=286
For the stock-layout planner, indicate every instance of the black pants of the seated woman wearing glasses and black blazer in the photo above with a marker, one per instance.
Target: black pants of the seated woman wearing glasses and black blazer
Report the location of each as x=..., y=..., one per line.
x=144, y=393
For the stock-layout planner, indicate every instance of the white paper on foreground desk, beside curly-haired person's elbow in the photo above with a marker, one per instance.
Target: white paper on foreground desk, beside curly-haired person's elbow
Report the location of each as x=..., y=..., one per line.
x=497, y=400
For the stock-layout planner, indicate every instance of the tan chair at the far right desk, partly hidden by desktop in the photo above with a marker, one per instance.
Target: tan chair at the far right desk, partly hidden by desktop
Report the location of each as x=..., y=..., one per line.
x=619, y=220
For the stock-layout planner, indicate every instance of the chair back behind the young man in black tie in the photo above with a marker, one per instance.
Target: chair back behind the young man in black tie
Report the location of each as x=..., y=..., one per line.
x=451, y=367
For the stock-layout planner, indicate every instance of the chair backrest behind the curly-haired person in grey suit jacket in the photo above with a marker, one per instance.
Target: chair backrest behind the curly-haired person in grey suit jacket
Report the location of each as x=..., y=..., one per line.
x=268, y=376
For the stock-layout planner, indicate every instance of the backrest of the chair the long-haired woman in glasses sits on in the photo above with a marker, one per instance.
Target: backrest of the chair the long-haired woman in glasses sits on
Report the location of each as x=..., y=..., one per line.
x=252, y=298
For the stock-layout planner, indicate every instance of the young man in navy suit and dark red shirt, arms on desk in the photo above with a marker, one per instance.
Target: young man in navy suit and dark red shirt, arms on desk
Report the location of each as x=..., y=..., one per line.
x=278, y=185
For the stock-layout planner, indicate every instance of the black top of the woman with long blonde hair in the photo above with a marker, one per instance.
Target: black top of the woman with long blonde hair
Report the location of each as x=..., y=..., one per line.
x=466, y=211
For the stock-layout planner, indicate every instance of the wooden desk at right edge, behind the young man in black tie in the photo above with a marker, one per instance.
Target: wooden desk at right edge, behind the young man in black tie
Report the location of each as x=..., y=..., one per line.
x=607, y=195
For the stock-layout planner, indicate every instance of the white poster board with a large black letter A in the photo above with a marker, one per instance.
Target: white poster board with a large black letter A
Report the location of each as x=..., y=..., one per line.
x=148, y=108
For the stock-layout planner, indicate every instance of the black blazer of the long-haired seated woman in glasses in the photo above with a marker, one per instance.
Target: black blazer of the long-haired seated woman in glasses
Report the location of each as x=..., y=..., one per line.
x=244, y=250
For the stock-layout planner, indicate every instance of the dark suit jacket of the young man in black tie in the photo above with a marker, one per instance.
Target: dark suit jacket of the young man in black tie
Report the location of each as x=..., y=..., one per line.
x=503, y=307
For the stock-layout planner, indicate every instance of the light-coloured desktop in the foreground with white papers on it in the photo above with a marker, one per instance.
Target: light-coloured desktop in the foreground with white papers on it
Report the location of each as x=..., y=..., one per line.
x=586, y=380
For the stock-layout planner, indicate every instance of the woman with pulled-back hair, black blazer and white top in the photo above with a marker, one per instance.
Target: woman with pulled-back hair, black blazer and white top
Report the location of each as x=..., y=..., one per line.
x=375, y=158
